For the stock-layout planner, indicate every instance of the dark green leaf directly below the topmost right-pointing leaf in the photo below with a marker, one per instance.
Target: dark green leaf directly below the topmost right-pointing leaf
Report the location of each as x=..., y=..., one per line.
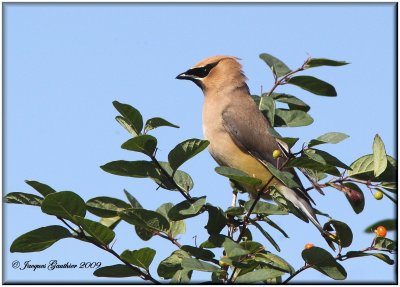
x=313, y=85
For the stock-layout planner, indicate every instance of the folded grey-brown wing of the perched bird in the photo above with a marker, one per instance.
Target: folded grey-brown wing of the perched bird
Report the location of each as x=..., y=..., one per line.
x=247, y=127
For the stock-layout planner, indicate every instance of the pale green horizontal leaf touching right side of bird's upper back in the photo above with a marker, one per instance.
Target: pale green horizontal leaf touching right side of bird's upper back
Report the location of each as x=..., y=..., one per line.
x=292, y=118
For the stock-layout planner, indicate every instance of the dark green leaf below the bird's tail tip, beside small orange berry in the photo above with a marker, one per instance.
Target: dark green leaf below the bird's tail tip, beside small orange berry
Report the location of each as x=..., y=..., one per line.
x=323, y=261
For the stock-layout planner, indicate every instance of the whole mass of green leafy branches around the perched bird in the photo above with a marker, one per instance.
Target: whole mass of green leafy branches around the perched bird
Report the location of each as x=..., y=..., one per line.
x=229, y=231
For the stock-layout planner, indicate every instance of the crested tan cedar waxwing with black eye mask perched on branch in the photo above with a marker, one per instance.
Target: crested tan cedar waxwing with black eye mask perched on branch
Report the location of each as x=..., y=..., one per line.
x=237, y=130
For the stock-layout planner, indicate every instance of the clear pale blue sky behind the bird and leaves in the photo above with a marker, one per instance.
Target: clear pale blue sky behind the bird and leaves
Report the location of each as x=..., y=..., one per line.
x=64, y=64
